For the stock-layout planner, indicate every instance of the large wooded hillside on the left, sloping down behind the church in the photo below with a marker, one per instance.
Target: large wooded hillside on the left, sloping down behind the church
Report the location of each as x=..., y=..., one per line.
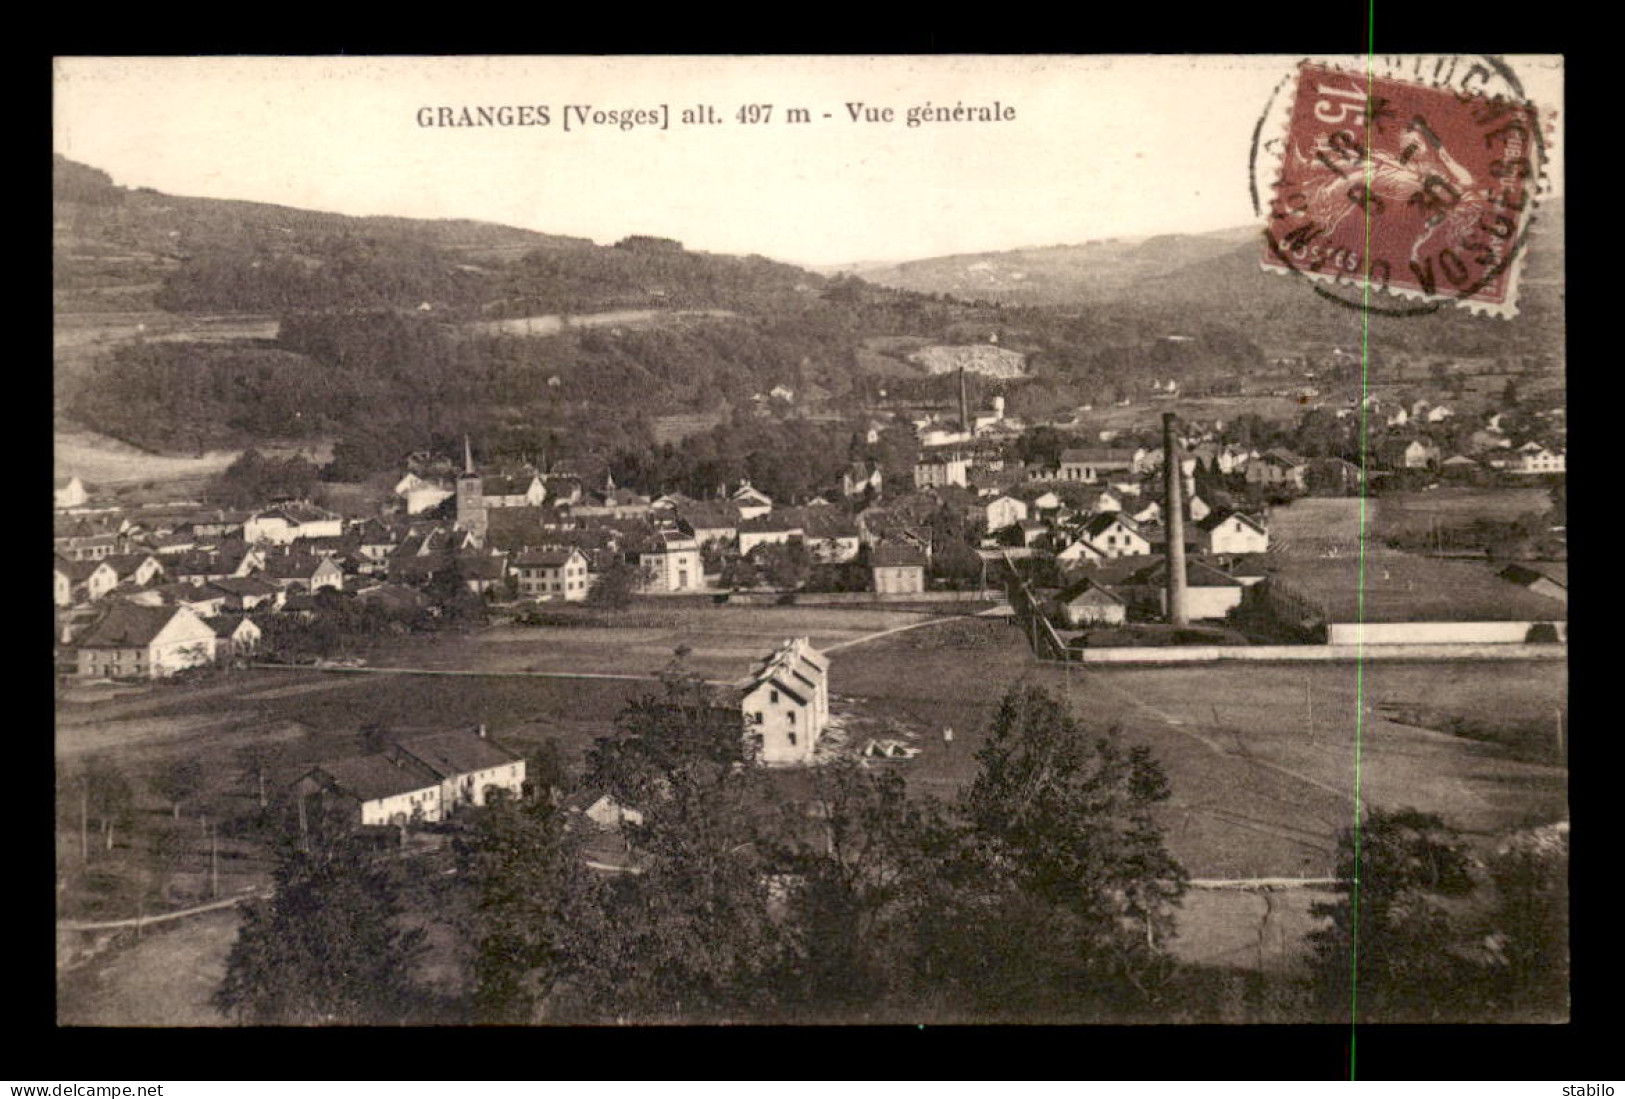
x=189, y=323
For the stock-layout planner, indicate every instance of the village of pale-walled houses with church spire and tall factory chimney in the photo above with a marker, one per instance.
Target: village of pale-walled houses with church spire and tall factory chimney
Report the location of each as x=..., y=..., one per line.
x=149, y=593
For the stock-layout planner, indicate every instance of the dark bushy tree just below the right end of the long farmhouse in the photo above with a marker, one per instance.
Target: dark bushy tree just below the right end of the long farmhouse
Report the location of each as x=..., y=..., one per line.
x=531, y=906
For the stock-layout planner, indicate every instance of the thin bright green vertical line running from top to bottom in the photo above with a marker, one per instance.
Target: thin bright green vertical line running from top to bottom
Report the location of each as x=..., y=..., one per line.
x=1359, y=617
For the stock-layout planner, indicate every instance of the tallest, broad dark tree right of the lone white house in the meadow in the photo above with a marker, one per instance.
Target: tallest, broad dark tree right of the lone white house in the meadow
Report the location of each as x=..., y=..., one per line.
x=1060, y=877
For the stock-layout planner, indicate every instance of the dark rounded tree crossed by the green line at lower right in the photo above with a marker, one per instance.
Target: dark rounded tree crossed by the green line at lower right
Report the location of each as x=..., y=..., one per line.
x=1393, y=939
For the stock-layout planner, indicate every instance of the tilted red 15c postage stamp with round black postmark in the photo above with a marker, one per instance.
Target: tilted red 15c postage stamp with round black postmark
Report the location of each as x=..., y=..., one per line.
x=1416, y=191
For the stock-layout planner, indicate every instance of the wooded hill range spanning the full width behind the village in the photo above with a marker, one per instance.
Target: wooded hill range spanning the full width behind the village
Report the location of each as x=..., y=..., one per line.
x=193, y=323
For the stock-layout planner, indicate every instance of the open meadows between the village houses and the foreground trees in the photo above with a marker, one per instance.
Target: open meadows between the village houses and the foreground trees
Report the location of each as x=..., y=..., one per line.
x=1262, y=760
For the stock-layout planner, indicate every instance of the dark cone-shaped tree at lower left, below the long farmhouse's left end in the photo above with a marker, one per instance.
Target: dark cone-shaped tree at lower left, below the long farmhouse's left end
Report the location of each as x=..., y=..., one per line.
x=327, y=947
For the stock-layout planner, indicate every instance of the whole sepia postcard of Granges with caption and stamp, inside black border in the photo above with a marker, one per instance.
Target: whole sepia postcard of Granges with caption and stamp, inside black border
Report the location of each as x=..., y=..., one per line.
x=810, y=541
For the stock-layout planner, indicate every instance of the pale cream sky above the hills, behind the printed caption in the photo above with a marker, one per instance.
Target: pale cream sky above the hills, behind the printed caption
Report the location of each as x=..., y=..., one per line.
x=1099, y=147
